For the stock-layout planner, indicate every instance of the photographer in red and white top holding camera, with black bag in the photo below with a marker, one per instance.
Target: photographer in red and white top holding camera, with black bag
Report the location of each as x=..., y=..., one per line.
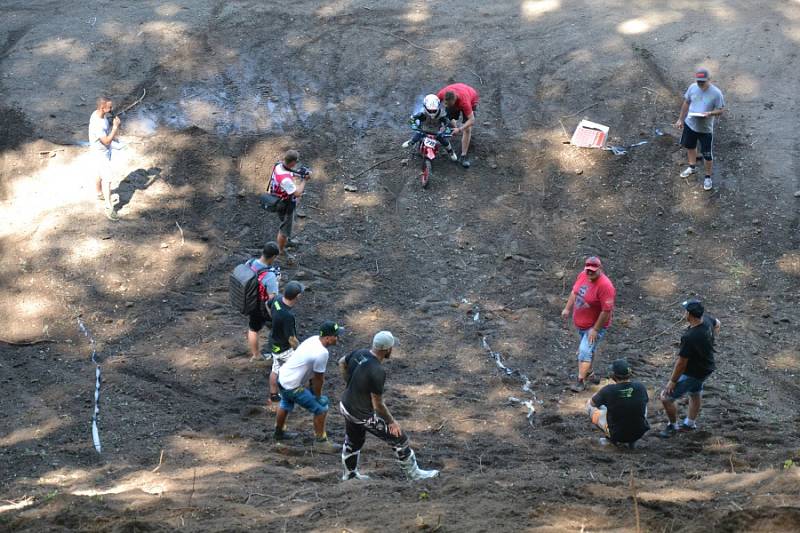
x=288, y=184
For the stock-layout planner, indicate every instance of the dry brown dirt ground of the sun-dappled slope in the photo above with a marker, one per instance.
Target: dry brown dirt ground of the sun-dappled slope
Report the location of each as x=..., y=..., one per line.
x=485, y=253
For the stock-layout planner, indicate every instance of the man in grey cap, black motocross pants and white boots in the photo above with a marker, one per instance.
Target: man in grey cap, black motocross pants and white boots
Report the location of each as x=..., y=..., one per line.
x=363, y=410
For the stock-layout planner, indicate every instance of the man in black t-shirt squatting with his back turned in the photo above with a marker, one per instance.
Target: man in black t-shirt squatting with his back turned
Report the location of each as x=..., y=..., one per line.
x=620, y=409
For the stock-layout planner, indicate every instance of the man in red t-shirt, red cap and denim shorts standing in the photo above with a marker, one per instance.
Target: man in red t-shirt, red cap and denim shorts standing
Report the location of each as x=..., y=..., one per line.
x=591, y=303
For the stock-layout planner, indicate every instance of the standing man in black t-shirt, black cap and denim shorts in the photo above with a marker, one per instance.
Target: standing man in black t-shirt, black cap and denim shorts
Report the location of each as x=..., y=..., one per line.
x=695, y=363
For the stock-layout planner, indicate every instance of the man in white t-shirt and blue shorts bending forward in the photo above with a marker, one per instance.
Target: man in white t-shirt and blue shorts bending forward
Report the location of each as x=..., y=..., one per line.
x=308, y=362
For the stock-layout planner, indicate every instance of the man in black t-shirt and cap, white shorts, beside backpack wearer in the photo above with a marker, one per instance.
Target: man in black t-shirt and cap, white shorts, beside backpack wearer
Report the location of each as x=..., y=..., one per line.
x=283, y=336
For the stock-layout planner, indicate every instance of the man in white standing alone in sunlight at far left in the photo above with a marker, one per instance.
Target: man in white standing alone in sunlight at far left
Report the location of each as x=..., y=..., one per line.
x=101, y=133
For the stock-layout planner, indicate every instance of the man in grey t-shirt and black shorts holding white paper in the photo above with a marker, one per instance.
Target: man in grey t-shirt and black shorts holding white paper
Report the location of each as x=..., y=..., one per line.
x=701, y=103
